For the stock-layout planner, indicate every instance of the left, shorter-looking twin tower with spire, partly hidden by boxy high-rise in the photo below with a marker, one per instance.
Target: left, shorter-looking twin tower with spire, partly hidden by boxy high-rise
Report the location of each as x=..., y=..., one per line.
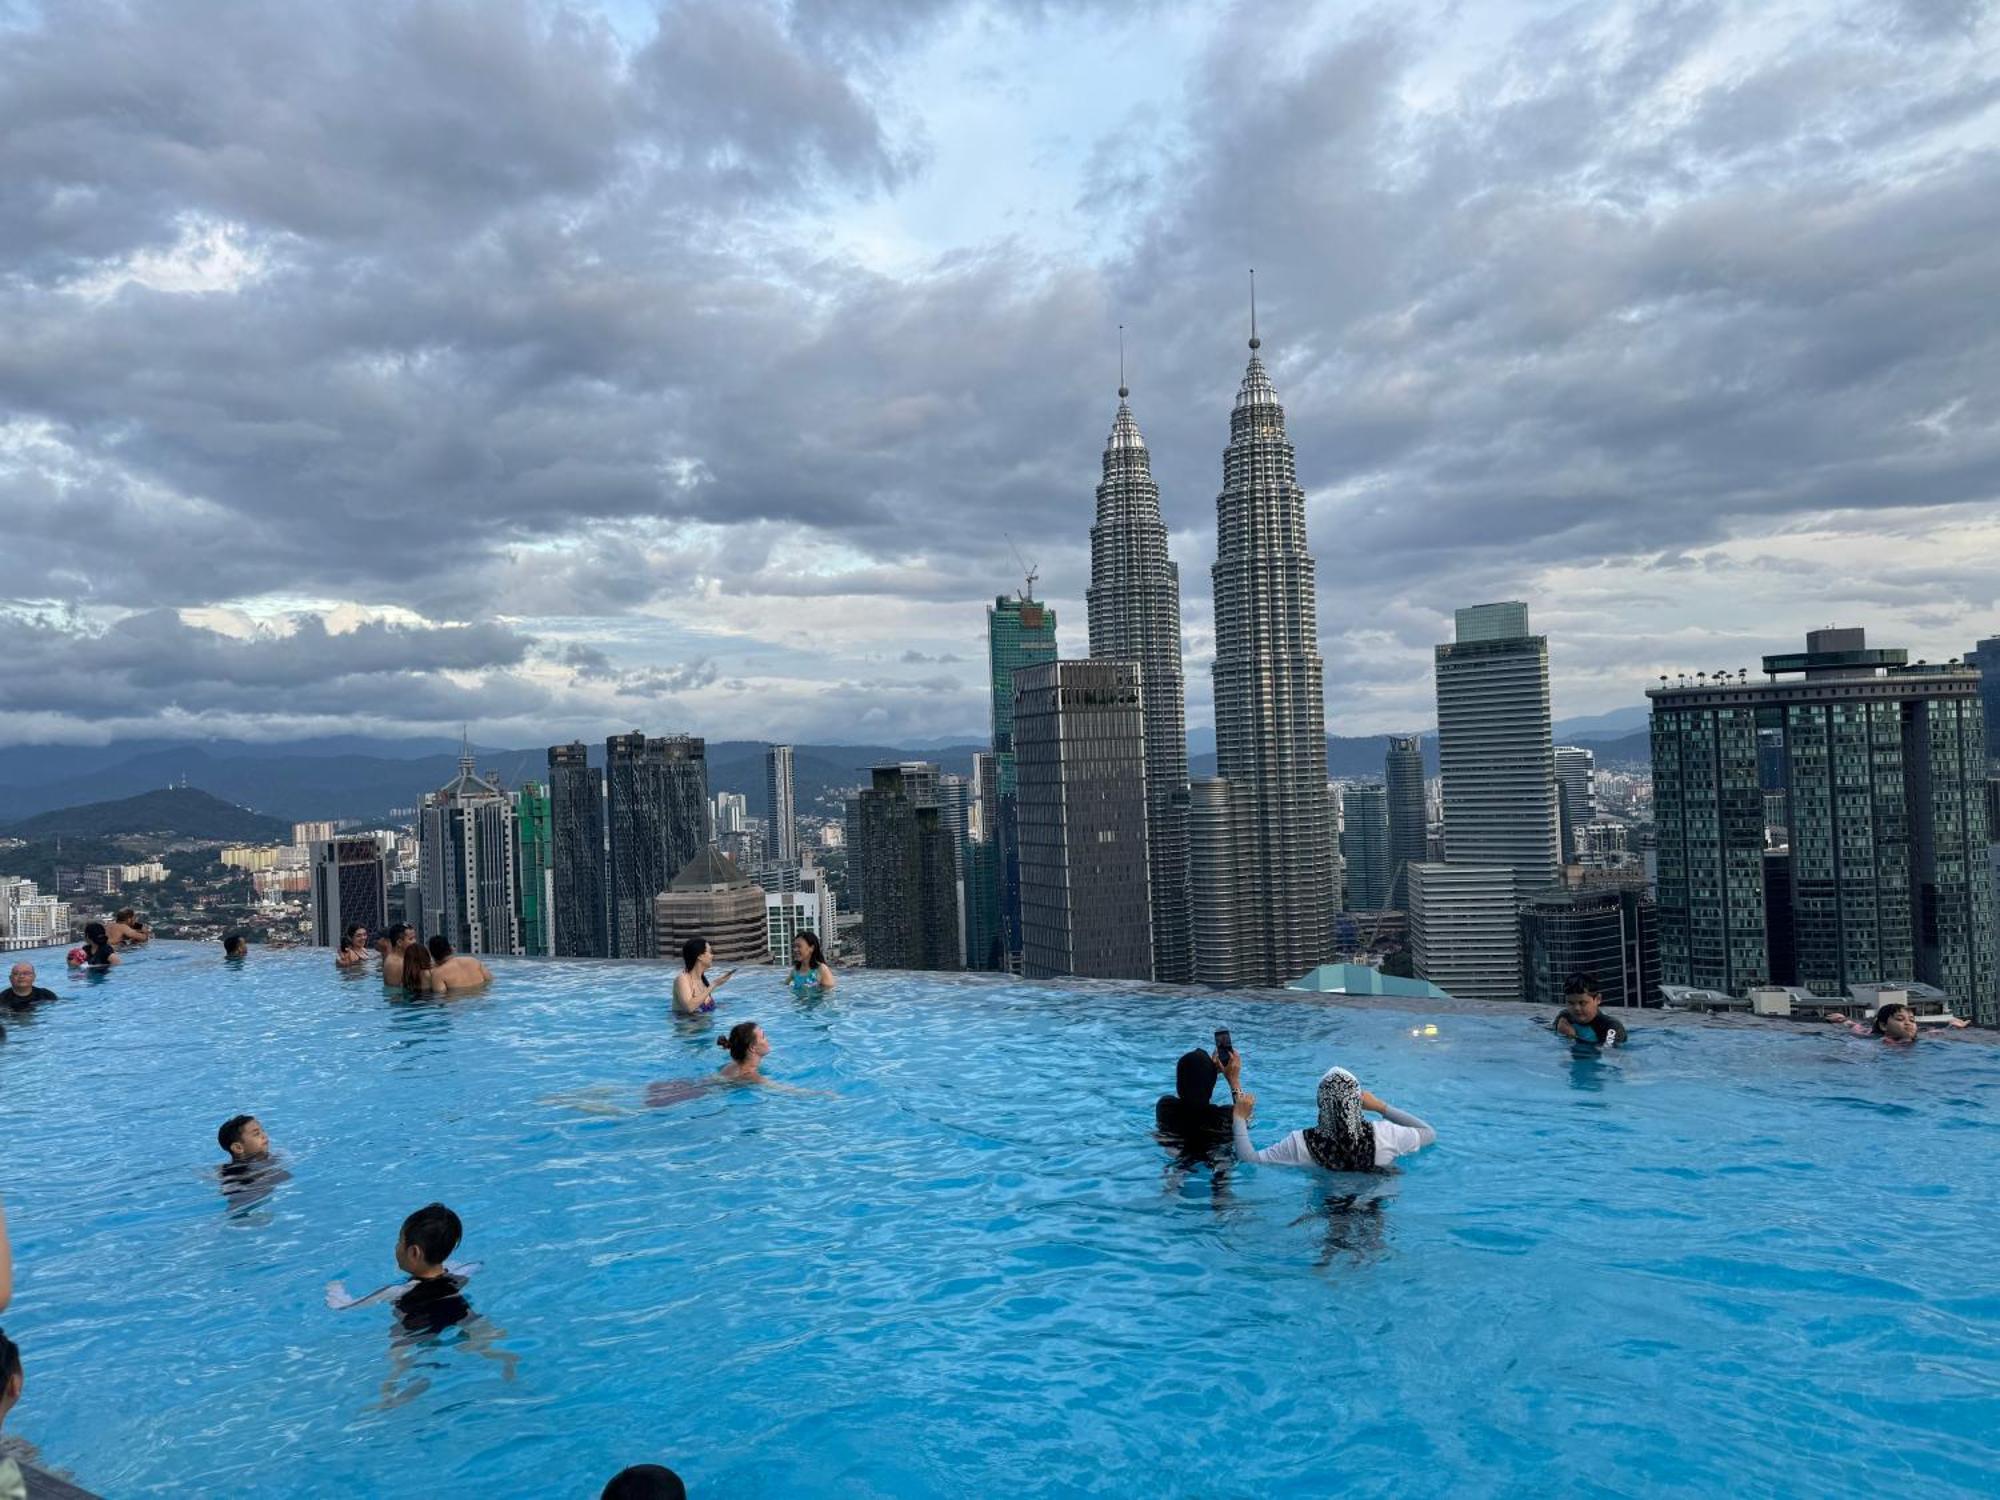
x=1135, y=617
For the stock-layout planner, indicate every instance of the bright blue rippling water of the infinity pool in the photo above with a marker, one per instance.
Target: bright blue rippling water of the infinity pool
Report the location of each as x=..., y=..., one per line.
x=1733, y=1261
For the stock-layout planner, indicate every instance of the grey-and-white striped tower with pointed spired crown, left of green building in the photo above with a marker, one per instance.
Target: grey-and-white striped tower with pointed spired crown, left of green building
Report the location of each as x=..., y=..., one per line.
x=467, y=865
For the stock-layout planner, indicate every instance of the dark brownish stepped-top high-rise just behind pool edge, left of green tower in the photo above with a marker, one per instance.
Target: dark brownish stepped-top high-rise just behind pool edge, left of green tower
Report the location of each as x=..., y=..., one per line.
x=911, y=893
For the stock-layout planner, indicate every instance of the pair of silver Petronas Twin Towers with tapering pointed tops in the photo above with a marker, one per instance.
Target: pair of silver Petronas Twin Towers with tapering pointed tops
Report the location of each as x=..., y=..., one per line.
x=1241, y=865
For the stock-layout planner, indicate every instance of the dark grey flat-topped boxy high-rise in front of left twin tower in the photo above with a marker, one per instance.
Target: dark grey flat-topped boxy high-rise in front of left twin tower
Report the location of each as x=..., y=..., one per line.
x=1081, y=787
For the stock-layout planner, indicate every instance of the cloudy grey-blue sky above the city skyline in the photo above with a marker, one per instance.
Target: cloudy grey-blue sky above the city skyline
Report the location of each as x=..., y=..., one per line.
x=567, y=369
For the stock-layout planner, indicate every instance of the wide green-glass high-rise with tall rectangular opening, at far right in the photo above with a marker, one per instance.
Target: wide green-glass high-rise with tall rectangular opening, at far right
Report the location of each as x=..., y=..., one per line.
x=1887, y=871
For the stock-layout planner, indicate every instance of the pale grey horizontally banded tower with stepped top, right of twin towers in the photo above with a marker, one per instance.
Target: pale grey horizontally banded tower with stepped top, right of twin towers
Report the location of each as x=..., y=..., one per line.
x=1495, y=747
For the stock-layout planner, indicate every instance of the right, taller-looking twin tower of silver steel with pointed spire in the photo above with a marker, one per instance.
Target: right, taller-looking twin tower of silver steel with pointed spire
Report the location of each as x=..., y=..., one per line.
x=1271, y=713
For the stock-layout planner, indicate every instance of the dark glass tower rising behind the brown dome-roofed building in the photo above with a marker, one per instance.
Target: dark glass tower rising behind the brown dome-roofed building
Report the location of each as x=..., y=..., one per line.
x=657, y=793
